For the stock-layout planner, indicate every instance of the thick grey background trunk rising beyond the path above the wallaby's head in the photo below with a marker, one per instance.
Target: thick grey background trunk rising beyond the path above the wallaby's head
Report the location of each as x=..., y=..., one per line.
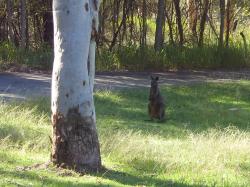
x=159, y=34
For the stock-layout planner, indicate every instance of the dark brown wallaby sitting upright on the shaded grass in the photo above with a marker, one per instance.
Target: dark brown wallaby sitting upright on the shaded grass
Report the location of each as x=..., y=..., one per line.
x=156, y=106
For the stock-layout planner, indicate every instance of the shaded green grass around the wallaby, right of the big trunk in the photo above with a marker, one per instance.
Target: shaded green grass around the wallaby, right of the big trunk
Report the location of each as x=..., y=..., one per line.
x=194, y=108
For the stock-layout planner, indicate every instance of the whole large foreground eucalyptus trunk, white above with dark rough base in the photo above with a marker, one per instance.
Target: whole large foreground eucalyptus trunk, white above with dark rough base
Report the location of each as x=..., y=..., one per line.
x=75, y=142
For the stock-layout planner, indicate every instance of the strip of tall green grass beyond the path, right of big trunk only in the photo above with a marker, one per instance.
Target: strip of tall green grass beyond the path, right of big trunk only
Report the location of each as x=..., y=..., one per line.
x=173, y=57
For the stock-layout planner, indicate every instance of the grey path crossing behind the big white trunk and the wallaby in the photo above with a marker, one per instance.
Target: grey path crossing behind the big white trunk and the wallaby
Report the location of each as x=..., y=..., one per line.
x=23, y=85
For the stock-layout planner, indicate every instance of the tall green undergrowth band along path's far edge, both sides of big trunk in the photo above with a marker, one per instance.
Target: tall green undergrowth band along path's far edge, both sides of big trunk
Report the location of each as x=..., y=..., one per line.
x=134, y=58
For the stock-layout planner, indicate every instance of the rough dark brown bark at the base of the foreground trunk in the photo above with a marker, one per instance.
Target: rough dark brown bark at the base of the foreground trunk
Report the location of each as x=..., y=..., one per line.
x=76, y=141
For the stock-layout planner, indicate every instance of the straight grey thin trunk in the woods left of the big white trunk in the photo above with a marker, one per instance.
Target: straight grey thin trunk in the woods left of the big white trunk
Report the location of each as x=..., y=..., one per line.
x=23, y=23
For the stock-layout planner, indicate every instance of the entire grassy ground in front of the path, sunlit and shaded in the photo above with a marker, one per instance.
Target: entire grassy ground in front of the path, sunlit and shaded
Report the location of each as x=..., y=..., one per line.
x=205, y=140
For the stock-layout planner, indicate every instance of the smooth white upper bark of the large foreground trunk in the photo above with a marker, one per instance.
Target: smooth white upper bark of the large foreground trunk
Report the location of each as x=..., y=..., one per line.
x=70, y=80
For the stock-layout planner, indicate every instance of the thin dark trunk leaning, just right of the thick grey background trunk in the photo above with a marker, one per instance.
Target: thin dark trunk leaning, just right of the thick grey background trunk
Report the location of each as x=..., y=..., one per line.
x=179, y=21
